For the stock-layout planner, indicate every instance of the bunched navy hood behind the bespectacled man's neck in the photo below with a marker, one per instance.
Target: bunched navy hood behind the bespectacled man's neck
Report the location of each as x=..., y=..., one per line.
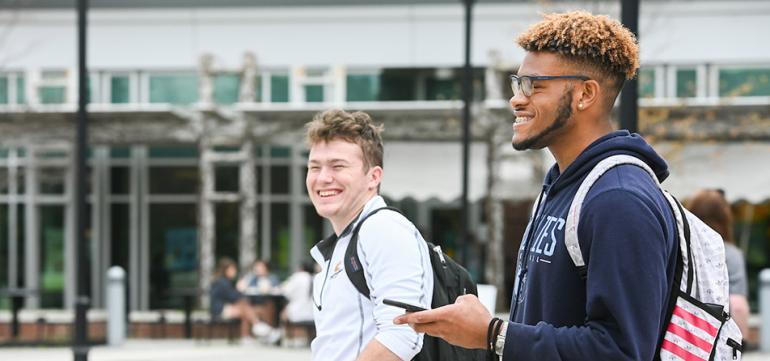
x=614, y=143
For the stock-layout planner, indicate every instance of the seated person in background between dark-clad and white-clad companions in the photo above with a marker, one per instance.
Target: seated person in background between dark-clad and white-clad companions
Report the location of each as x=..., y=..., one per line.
x=260, y=281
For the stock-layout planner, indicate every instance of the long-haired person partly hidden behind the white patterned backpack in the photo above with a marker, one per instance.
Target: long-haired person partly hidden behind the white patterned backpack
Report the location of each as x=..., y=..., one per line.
x=712, y=208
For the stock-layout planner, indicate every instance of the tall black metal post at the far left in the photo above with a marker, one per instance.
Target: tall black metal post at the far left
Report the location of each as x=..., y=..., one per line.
x=80, y=339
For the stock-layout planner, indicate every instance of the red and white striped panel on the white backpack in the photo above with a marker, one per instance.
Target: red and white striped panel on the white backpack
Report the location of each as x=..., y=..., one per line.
x=691, y=334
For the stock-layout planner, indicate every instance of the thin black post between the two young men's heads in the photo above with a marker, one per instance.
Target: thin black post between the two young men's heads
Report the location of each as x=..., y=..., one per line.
x=467, y=94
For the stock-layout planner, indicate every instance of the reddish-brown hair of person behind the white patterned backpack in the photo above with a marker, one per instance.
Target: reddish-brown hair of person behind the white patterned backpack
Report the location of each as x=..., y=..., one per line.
x=712, y=208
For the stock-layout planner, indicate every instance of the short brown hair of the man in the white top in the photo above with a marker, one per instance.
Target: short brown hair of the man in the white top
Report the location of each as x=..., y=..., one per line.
x=356, y=127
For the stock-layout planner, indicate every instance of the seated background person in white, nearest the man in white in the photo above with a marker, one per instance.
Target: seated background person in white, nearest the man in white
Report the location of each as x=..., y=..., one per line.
x=298, y=292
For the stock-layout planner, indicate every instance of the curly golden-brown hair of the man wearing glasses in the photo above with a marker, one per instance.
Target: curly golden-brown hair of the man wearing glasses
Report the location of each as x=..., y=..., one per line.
x=602, y=45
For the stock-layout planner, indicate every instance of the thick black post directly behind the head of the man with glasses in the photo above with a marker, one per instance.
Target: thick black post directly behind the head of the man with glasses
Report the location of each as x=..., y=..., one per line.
x=629, y=107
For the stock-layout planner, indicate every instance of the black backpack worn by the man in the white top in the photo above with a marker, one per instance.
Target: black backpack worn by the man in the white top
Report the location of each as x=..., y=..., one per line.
x=450, y=280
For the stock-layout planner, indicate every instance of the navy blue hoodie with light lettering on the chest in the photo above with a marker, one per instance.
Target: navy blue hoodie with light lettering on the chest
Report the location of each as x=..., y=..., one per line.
x=627, y=236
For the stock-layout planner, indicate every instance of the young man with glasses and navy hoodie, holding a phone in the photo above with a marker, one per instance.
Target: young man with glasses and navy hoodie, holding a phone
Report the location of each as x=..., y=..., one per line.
x=575, y=65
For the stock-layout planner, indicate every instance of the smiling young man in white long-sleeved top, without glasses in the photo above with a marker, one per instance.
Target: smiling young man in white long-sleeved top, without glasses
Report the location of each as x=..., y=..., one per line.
x=343, y=179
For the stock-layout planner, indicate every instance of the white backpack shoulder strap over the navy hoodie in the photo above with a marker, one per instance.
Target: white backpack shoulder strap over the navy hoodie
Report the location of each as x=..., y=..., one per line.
x=573, y=217
